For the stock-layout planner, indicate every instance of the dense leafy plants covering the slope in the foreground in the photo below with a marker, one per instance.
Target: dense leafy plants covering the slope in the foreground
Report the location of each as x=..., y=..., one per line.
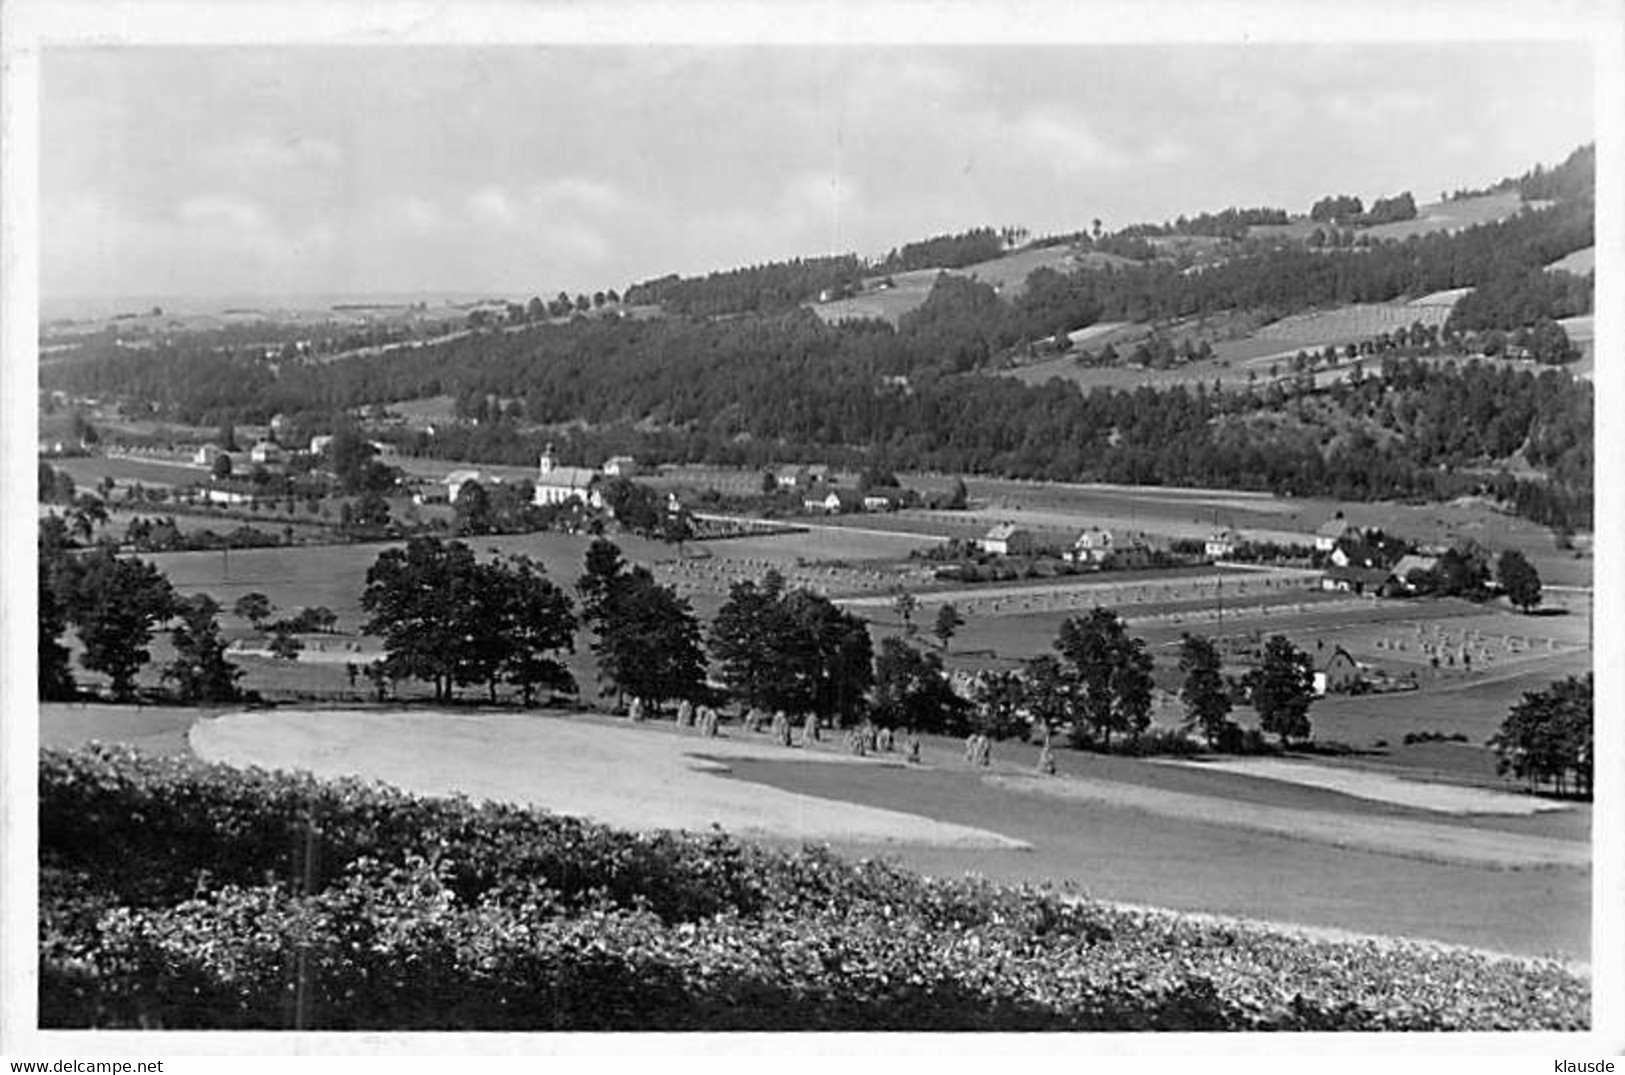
x=184, y=896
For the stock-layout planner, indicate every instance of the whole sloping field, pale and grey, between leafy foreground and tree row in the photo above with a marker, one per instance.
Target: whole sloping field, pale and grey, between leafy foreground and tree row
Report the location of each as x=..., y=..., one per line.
x=1119, y=829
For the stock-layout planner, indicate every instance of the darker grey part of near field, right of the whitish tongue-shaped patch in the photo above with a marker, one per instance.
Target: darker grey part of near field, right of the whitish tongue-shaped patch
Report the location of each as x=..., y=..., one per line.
x=1116, y=852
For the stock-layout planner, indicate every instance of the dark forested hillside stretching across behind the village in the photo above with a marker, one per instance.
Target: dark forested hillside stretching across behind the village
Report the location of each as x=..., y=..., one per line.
x=768, y=386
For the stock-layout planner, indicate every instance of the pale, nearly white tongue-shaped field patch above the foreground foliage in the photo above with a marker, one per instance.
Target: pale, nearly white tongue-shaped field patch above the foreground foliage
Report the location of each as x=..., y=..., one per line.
x=641, y=779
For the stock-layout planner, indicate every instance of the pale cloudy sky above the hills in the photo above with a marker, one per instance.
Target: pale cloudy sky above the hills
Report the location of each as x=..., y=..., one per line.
x=282, y=171
